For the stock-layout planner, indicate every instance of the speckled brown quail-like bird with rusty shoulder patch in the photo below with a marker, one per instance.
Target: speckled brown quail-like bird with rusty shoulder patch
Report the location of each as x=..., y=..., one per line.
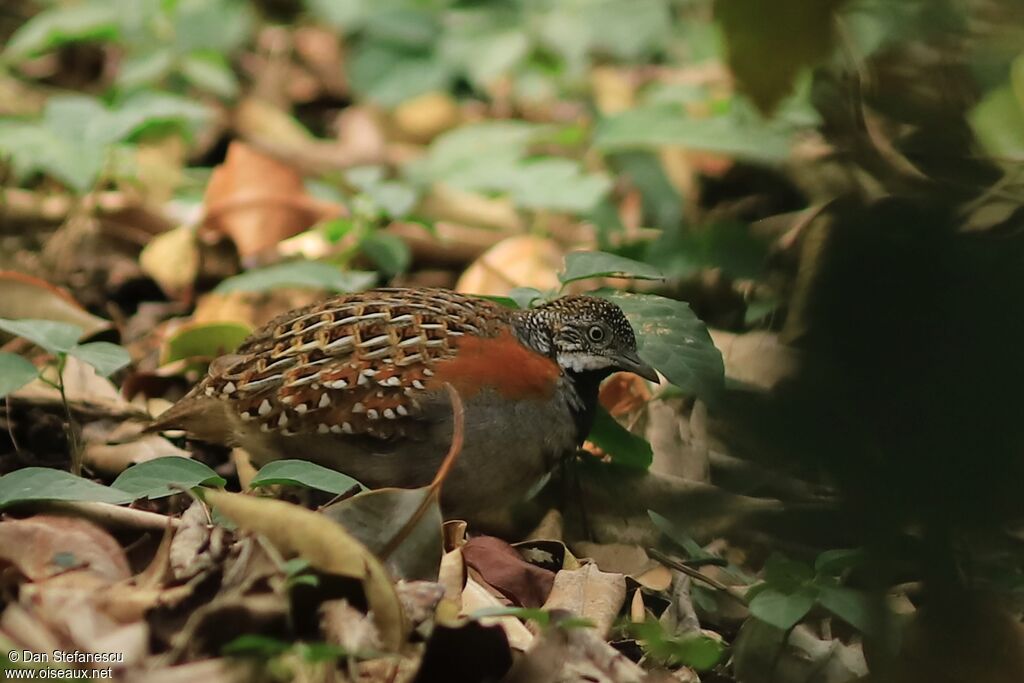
x=357, y=383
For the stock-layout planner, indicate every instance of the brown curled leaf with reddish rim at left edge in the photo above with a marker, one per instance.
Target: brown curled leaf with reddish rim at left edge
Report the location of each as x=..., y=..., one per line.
x=25, y=296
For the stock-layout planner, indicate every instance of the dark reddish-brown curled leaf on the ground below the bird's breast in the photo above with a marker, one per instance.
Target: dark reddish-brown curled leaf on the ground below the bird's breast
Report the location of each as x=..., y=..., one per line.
x=501, y=567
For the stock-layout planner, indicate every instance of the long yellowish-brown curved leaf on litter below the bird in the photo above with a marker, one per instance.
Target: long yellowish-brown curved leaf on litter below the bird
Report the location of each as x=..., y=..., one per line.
x=326, y=545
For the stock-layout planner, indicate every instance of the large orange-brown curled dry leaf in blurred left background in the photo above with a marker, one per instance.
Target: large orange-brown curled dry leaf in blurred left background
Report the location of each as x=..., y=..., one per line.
x=259, y=201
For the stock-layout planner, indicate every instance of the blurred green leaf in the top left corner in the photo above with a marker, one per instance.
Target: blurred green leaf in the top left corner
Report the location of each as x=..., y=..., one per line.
x=62, y=25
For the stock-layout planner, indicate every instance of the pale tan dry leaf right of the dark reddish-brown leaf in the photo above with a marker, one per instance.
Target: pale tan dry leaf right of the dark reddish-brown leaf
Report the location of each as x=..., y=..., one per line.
x=590, y=593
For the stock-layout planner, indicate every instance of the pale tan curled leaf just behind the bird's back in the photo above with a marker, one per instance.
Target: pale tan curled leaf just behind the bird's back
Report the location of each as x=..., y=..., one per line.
x=525, y=261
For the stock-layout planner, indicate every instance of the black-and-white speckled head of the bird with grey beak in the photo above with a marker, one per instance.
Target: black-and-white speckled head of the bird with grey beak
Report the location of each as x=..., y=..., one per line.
x=585, y=335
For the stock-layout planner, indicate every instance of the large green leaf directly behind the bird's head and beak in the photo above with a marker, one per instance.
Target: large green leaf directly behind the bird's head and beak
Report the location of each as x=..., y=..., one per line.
x=675, y=341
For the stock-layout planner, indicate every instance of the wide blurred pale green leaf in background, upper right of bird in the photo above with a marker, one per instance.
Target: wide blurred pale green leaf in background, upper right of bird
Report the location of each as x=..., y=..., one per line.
x=731, y=135
